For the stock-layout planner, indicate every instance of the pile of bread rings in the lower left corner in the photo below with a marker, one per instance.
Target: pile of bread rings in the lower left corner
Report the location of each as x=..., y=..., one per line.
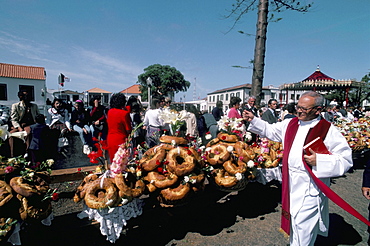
x=24, y=197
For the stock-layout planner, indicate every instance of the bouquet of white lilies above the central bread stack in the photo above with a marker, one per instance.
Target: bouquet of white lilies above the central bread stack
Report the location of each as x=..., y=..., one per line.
x=175, y=119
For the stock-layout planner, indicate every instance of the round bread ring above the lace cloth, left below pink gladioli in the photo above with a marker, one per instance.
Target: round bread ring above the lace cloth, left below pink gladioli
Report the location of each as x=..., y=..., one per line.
x=100, y=196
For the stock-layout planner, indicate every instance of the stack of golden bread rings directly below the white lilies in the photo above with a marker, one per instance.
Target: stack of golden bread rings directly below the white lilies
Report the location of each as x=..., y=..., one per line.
x=172, y=171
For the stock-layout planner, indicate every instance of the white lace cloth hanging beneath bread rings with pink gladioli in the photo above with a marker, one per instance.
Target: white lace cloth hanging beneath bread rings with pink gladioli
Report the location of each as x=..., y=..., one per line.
x=112, y=220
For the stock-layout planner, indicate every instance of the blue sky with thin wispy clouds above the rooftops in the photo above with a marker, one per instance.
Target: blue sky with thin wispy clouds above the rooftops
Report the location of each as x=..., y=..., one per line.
x=107, y=44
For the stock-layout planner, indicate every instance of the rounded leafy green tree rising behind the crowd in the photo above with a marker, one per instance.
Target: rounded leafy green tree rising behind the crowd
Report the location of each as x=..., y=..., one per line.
x=166, y=81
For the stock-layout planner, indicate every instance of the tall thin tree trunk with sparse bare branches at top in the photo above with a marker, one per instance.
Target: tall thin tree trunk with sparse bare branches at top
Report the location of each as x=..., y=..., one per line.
x=265, y=14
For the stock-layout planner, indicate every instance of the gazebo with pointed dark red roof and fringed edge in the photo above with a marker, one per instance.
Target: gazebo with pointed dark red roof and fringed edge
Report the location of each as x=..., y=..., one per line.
x=318, y=81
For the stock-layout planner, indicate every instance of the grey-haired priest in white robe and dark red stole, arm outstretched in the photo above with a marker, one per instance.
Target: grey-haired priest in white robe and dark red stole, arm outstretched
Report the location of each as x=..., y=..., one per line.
x=305, y=212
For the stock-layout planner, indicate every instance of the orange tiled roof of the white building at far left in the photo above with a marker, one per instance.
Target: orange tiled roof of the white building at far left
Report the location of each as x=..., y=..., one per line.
x=22, y=72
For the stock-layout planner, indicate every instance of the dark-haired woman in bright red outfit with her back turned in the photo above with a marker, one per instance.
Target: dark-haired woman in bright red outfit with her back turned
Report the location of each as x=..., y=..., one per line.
x=119, y=123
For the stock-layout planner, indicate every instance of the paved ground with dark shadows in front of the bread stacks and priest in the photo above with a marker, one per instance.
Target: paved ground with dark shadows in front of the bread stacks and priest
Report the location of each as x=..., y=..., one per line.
x=249, y=217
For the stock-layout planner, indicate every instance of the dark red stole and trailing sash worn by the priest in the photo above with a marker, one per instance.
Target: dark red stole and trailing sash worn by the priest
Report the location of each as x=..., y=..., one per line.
x=321, y=130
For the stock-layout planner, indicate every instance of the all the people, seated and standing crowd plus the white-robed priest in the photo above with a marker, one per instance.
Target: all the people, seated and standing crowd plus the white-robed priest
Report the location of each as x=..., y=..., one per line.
x=305, y=206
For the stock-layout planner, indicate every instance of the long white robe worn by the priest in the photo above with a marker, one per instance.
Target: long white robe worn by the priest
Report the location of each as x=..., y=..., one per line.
x=305, y=197
